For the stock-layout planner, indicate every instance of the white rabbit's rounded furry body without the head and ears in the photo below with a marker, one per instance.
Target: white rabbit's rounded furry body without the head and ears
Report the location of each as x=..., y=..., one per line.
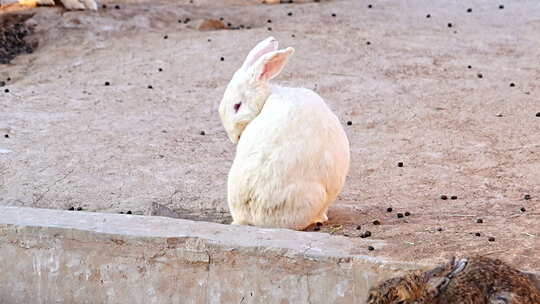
x=291, y=161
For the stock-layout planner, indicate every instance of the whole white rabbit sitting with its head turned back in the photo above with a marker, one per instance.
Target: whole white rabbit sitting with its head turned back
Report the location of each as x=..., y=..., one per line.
x=292, y=155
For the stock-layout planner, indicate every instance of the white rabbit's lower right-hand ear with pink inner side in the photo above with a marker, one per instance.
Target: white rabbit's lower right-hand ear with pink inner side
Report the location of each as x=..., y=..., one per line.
x=271, y=64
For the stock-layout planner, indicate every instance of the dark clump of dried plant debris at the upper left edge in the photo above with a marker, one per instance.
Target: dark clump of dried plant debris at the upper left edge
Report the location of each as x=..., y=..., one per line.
x=14, y=32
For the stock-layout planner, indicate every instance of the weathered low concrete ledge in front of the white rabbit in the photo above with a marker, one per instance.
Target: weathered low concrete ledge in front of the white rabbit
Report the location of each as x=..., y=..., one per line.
x=53, y=256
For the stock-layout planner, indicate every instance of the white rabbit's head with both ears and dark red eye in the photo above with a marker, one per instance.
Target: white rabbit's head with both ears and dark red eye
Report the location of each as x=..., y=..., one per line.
x=248, y=90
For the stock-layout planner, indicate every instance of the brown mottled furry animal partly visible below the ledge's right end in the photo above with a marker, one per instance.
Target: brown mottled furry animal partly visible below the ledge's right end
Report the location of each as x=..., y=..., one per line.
x=477, y=280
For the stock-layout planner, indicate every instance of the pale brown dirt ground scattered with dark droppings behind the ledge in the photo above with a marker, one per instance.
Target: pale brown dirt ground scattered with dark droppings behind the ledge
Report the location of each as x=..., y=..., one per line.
x=409, y=84
